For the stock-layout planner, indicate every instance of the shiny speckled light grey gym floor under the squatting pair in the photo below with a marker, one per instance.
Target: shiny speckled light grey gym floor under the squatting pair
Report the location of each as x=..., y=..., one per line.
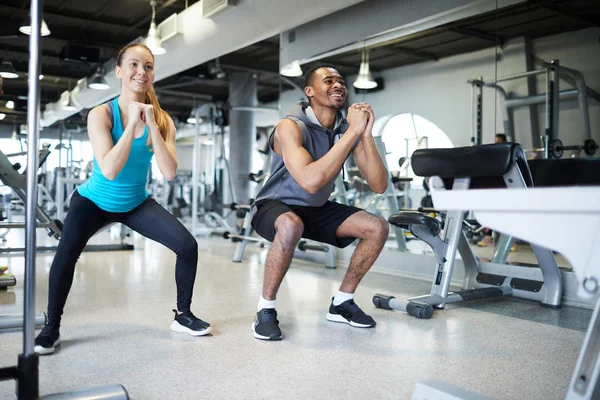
x=116, y=330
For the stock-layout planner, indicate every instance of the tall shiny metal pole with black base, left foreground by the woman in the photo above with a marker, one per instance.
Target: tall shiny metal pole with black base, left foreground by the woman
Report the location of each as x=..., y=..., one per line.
x=28, y=371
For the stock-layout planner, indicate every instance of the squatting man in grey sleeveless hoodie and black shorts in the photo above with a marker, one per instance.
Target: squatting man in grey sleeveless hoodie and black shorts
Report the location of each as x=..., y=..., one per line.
x=309, y=148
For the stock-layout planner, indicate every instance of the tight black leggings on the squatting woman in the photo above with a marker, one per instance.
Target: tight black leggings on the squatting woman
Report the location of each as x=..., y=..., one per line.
x=149, y=219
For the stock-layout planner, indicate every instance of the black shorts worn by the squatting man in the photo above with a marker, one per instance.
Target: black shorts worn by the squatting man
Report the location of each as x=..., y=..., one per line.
x=320, y=223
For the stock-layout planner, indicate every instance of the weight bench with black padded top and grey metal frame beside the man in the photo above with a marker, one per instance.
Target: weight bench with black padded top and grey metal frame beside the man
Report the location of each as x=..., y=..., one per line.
x=462, y=169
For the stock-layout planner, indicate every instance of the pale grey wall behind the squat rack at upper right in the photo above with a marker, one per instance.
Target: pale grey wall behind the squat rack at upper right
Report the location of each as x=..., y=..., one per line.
x=439, y=91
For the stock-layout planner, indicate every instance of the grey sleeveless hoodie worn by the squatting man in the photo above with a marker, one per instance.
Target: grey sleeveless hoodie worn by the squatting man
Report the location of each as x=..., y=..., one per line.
x=317, y=140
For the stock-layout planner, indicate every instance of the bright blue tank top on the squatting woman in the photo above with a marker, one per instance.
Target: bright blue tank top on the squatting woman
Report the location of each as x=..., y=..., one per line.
x=128, y=189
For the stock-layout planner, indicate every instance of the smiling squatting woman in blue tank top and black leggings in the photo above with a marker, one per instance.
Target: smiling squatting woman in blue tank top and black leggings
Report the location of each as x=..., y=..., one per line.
x=125, y=133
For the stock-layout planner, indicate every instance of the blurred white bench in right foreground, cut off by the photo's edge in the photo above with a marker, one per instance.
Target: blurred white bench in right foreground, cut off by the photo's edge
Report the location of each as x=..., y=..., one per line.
x=565, y=210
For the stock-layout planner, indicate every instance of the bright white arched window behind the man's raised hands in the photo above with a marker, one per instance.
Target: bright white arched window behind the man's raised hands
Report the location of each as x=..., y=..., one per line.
x=405, y=133
